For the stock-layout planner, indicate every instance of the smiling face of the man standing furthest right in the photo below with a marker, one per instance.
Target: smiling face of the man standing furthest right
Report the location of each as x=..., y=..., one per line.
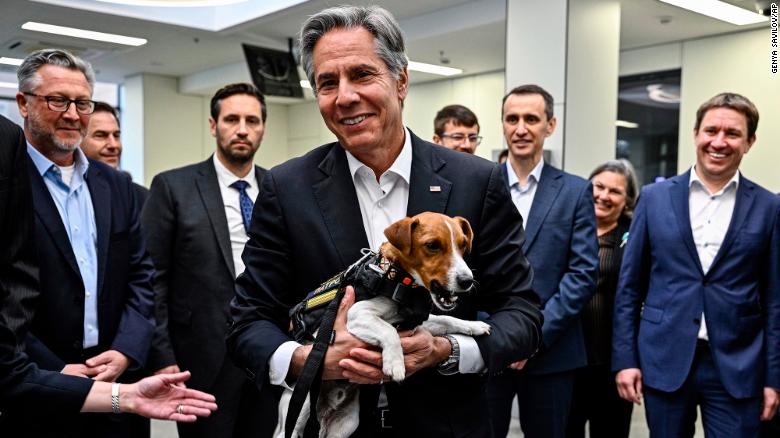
x=721, y=141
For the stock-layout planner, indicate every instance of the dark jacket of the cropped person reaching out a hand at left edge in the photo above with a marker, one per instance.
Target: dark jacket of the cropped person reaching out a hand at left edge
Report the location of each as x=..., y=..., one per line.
x=22, y=384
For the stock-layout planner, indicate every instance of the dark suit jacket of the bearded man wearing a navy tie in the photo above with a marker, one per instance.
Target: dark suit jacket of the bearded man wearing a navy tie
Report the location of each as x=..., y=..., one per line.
x=189, y=241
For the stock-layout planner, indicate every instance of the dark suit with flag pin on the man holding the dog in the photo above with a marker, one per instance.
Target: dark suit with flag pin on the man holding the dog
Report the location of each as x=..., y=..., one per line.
x=307, y=226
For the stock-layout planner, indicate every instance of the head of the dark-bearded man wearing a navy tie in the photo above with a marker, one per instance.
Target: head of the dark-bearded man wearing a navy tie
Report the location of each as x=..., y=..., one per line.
x=239, y=128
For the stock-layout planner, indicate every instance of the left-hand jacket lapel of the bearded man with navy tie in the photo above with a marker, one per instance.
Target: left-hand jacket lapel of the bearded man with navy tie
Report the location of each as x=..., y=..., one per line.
x=210, y=195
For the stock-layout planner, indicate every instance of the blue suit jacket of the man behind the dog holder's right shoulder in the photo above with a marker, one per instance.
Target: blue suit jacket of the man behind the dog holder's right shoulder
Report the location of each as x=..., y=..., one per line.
x=562, y=246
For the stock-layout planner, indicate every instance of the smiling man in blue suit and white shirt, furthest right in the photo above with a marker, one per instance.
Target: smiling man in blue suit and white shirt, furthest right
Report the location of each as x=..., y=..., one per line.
x=697, y=311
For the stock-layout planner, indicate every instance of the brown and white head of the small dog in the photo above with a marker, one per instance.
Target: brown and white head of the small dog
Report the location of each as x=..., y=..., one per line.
x=431, y=246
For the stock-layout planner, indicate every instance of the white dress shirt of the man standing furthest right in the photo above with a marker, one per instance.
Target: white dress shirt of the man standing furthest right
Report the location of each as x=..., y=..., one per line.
x=710, y=215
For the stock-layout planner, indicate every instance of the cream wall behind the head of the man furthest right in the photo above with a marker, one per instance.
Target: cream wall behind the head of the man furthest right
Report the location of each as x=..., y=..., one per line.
x=736, y=62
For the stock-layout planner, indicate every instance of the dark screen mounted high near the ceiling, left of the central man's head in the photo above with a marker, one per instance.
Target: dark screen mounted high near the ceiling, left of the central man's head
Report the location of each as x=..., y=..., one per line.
x=274, y=72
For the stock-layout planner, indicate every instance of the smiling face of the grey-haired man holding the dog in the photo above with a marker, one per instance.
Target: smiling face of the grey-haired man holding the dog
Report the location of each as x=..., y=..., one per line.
x=359, y=99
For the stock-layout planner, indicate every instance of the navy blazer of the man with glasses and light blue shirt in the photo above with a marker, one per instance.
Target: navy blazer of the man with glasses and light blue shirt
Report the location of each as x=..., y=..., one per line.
x=125, y=271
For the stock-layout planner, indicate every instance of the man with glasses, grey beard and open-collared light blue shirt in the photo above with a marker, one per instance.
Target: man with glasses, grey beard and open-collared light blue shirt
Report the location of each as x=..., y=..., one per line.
x=94, y=316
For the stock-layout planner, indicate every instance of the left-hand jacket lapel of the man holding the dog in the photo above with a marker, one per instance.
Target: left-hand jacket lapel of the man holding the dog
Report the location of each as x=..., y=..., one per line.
x=335, y=194
